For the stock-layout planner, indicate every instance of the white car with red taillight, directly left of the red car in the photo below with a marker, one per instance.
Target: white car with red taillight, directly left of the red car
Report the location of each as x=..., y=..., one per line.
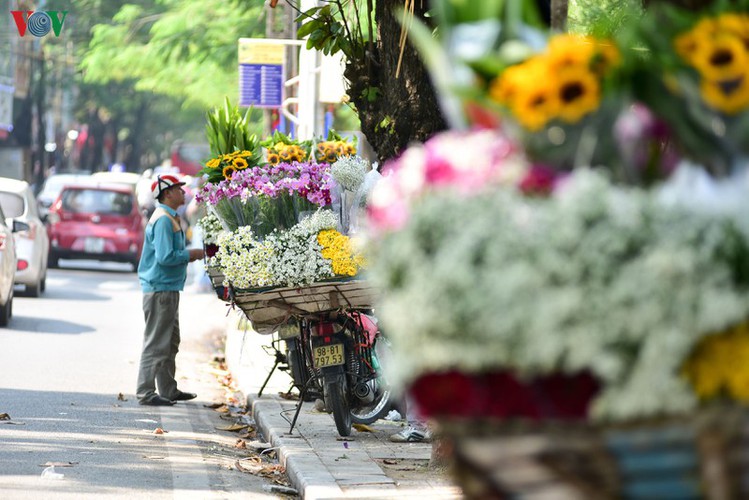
x=32, y=245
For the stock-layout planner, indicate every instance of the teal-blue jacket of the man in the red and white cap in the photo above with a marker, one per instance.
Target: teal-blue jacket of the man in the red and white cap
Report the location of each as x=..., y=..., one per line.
x=163, y=262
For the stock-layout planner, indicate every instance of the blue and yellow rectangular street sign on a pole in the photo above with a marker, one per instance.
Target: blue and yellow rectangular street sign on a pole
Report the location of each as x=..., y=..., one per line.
x=261, y=72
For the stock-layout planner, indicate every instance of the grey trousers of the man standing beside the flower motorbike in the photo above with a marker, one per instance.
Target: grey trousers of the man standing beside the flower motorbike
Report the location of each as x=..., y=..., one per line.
x=160, y=346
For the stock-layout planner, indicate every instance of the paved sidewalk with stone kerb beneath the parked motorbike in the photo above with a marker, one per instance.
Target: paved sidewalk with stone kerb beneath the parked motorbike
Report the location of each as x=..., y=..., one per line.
x=321, y=464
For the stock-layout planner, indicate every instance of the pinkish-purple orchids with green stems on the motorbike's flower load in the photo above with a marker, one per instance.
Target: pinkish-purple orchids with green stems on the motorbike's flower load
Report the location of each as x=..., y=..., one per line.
x=268, y=197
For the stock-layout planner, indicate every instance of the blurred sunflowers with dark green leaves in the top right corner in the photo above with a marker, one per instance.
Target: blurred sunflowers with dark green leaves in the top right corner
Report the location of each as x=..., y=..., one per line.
x=696, y=78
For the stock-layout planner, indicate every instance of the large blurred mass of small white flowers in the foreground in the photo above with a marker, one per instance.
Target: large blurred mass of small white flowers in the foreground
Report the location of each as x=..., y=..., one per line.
x=597, y=278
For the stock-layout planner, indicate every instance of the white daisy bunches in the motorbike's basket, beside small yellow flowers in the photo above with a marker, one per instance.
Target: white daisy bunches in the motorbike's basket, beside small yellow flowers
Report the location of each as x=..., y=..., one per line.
x=284, y=258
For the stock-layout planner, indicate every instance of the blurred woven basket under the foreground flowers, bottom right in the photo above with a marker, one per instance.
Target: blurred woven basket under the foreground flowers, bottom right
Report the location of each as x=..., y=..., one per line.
x=705, y=456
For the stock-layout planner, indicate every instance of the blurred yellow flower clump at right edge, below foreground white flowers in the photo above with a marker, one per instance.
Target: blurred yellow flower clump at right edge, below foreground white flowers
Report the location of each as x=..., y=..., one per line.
x=719, y=365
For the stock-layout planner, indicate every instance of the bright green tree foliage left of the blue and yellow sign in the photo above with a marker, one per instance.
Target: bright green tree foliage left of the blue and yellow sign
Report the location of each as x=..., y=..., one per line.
x=183, y=48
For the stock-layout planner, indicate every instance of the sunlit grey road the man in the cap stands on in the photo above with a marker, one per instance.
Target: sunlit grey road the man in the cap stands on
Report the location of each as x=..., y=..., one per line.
x=64, y=360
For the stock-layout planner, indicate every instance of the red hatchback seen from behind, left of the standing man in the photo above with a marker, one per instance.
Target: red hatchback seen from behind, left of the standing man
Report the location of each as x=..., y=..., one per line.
x=99, y=222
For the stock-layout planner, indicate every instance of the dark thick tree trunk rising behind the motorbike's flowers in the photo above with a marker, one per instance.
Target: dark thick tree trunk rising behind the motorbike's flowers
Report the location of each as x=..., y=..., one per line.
x=393, y=111
